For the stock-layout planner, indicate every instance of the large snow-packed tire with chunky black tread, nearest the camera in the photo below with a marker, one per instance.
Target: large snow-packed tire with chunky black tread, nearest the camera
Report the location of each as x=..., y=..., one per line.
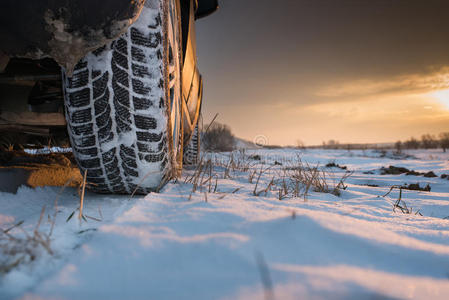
x=119, y=106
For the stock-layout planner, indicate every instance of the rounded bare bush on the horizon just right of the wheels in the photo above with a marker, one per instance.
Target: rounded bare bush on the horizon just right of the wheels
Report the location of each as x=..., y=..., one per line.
x=218, y=138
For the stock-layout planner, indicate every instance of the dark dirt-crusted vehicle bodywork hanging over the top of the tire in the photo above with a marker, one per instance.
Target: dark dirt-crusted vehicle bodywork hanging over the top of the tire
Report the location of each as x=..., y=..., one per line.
x=65, y=30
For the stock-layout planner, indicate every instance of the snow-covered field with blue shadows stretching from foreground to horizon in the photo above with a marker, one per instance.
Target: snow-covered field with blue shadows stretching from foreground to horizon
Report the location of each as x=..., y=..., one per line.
x=260, y=224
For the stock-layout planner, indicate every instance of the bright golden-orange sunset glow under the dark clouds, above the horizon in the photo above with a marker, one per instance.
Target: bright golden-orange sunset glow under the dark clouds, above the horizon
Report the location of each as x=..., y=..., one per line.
x=358, y=111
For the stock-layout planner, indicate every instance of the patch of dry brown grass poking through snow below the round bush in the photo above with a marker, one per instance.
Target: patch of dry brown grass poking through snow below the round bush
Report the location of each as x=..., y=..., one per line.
x=289, y=179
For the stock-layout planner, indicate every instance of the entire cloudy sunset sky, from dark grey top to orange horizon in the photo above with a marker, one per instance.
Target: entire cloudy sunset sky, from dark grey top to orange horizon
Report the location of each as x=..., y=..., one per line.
x=359, y=71
